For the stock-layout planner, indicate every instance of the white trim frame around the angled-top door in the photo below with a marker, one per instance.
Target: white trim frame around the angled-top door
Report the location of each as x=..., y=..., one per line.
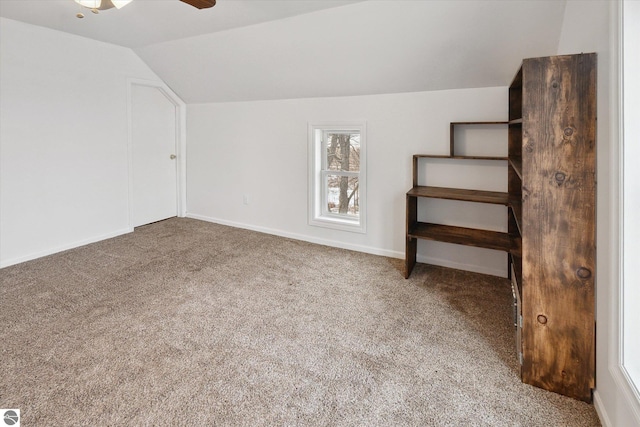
x=181, y=142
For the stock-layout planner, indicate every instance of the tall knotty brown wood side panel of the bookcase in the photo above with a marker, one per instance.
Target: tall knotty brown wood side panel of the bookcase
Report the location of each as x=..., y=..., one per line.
x=558, y=223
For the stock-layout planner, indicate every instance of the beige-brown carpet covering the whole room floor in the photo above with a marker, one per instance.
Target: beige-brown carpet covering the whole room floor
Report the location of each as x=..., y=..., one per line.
x=189, y=323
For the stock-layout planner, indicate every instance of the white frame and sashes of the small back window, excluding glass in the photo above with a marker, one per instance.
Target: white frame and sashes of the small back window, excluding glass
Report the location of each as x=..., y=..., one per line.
x=319, y=214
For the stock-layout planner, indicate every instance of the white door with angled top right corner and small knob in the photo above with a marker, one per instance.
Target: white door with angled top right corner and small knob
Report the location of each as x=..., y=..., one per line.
x=153, y=131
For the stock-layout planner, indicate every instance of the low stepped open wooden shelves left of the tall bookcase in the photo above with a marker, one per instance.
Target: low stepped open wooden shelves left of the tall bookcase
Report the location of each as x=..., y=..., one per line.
x=451, y=234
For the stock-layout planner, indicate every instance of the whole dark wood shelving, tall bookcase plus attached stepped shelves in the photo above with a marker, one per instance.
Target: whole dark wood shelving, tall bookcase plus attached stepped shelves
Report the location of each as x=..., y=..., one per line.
x=551, y=228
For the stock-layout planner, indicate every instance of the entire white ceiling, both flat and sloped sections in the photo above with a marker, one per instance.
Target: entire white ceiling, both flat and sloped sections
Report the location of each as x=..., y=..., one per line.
x=358, y=48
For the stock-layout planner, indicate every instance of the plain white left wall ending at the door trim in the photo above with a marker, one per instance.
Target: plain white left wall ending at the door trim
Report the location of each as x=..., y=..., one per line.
x=63, y=140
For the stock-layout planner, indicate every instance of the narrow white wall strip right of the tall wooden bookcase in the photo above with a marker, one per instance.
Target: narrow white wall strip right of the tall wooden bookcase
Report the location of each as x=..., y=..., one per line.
x=592, y=26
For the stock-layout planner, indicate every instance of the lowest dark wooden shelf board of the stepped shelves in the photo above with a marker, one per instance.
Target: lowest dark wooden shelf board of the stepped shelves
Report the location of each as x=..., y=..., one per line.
x=461, y=236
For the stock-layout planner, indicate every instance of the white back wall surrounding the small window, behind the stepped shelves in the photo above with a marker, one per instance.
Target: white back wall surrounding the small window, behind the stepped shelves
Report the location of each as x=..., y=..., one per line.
x=259, y=149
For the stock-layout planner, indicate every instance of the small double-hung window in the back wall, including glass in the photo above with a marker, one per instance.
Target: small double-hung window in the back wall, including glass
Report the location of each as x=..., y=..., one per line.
x=337, y=176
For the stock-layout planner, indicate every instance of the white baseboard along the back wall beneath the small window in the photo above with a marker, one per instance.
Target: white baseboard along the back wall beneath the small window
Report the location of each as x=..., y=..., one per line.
x=349, y=246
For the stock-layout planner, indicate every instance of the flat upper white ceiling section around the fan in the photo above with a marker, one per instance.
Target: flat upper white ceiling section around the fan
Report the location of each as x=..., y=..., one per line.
x=145, y=22
